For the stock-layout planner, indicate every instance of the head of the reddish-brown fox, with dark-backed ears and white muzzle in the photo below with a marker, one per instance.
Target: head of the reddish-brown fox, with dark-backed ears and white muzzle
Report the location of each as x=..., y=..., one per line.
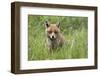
x=52, y=30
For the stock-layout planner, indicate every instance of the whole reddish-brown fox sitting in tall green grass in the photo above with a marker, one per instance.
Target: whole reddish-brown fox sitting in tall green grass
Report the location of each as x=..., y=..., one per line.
x=54, y=37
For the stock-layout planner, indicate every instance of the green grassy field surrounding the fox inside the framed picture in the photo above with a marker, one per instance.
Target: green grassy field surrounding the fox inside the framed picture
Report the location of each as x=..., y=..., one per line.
x=74, y=29
